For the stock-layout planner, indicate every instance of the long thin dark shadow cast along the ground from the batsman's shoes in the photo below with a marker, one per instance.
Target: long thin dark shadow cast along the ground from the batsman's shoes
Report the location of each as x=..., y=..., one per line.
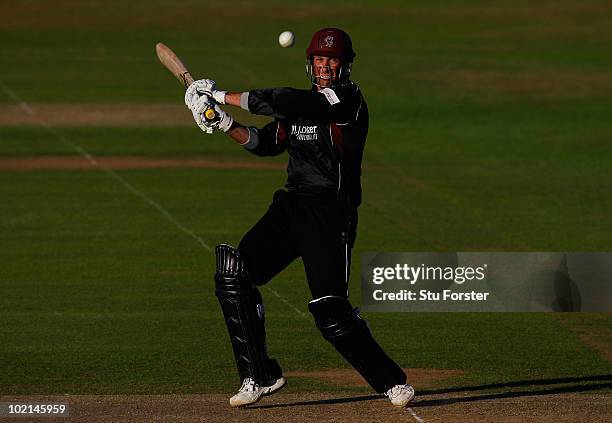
x=577, y=384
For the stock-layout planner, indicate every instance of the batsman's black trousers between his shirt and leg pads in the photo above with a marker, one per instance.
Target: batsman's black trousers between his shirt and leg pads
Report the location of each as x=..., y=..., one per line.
x=321, y=230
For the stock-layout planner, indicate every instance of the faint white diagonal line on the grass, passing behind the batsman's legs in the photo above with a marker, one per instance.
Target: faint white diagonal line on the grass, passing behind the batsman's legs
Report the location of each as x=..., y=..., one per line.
x=85, y=154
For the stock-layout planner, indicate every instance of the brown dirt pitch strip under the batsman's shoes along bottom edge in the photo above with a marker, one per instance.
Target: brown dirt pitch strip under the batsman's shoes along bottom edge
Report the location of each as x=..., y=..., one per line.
x=515, y=406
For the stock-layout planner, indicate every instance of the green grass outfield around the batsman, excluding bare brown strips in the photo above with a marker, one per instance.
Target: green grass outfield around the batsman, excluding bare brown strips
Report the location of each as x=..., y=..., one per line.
x=489, y=131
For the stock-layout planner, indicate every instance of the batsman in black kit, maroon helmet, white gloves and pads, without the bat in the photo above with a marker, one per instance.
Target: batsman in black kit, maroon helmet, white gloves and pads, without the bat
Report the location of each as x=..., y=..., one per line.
x=323, y=129
